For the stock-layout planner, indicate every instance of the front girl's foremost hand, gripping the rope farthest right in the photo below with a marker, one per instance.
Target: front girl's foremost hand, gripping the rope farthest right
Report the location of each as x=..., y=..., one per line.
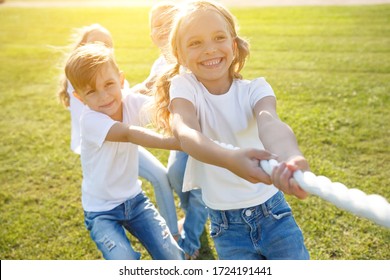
x=282, y=176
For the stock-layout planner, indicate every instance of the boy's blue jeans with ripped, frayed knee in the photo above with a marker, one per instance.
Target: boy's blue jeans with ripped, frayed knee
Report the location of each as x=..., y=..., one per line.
x=139, y=217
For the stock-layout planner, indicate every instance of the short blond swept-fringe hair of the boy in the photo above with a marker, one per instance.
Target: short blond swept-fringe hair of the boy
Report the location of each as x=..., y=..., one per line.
x=85, y=62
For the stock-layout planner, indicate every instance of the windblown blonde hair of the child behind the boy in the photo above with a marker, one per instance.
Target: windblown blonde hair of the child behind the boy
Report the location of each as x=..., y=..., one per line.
x=82, y=36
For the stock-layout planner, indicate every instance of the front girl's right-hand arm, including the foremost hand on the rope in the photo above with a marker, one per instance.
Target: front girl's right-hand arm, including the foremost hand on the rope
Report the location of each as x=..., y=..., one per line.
x=278, y=138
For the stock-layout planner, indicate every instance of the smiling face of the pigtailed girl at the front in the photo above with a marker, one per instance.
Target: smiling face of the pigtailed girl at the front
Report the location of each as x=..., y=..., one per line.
x=205, y=47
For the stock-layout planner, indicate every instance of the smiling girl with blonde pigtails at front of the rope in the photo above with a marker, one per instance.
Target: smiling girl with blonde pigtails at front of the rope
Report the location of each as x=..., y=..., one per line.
x=210, y=102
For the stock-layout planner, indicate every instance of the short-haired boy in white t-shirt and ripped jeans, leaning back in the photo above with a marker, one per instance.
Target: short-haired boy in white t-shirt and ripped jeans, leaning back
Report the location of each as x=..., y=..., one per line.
x=112, y=197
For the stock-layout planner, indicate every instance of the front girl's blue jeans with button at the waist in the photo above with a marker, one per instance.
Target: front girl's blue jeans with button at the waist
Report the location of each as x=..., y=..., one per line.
x=264, y=232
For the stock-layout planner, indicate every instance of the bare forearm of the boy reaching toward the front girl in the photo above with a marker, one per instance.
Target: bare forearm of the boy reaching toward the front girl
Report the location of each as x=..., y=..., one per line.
x=120, y=132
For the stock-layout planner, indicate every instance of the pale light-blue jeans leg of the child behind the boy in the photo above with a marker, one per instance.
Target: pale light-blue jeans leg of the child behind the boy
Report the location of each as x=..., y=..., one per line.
x=151, y=169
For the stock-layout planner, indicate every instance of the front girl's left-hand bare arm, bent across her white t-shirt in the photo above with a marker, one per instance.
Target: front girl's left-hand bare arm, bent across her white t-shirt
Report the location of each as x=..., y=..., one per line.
x=242, y=162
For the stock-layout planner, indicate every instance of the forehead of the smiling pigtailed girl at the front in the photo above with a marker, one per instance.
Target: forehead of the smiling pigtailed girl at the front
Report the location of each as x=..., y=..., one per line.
x=202, y=22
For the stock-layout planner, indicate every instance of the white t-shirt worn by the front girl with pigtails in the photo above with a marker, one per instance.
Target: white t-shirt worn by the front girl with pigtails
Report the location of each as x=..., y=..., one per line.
x=227, y=118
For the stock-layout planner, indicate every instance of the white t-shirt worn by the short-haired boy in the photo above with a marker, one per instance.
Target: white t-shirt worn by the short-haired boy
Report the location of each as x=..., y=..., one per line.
x=110, y=169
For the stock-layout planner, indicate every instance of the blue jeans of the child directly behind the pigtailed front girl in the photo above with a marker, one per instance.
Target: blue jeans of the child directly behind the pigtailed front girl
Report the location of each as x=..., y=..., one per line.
x=191, y=202
